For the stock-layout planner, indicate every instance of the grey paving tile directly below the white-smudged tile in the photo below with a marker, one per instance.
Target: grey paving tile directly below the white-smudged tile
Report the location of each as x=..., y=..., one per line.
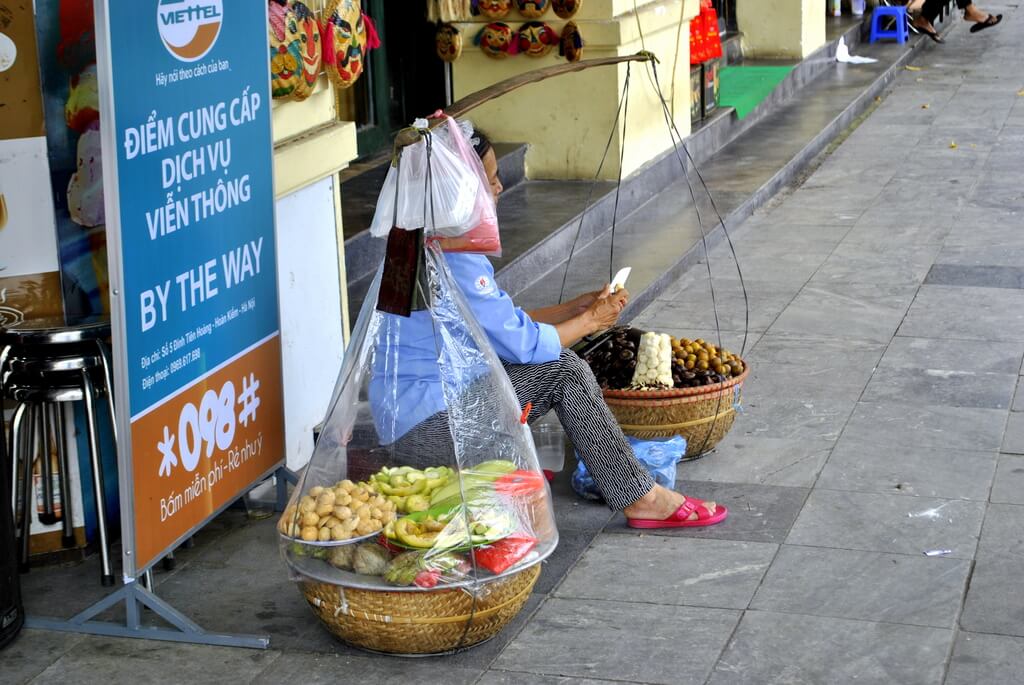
x=869, y=586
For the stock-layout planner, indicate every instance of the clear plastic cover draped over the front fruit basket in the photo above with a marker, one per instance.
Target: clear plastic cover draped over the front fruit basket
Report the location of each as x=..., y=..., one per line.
x=398, y=497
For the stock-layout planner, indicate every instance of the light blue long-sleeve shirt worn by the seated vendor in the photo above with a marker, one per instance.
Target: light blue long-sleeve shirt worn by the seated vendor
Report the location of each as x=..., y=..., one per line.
x=407, y=386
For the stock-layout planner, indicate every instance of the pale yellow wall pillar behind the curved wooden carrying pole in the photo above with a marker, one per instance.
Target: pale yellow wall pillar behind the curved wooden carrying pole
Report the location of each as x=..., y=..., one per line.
x=568, y=120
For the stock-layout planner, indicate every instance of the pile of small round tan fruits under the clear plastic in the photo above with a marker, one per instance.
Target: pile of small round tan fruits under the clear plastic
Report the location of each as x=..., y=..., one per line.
x=337, y=513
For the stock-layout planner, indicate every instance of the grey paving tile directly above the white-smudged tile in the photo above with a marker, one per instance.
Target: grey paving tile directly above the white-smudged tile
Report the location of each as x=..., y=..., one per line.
x=953, y=475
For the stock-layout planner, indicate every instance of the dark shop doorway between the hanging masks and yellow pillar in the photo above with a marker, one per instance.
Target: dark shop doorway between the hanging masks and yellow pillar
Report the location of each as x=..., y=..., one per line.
x=405, y=79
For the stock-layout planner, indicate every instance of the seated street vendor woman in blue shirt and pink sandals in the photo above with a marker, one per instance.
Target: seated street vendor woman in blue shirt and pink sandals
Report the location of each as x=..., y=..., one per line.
x=532, y=347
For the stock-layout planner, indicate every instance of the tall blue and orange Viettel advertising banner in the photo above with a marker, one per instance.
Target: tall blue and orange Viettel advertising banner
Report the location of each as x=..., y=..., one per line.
x=191, y=236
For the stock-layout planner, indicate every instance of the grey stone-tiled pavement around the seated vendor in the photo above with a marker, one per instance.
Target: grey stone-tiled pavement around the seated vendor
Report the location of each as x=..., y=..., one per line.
x=884, y=418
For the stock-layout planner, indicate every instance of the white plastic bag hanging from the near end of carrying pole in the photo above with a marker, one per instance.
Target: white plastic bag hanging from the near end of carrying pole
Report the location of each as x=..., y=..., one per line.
x=445, y=203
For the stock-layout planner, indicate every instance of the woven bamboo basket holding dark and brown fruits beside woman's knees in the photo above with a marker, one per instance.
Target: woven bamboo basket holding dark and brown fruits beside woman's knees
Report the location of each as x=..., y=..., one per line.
x=703, y=415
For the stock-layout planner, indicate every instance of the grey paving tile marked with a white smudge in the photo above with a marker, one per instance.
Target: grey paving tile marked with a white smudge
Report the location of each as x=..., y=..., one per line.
x=888, y=524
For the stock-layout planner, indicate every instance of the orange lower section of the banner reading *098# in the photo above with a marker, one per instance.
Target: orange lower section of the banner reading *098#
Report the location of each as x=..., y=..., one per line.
x=203, y=448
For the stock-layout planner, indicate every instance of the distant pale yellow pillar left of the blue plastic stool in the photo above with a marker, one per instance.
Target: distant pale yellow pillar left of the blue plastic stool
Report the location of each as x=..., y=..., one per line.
x=787, y=29
